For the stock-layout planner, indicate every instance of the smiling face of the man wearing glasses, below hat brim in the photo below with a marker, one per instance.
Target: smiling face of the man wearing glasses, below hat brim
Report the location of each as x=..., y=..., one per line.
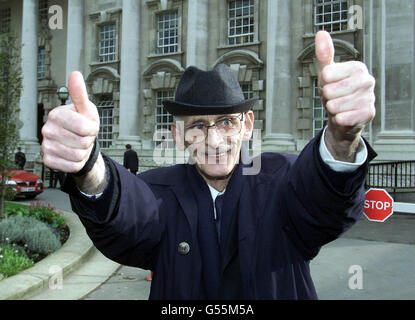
x=214, y=141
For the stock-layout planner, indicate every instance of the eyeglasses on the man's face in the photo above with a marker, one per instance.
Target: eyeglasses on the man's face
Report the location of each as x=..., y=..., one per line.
x=227, y=126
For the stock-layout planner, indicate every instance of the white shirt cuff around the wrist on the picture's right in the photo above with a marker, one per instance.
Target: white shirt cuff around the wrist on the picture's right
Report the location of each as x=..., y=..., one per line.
x=341, y=166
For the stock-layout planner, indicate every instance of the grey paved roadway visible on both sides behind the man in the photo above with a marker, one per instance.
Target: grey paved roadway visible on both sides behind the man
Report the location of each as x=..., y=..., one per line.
x=377, y=258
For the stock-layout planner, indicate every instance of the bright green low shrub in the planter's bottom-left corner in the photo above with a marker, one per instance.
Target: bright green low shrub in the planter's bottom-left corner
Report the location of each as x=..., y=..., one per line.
x=13, y=260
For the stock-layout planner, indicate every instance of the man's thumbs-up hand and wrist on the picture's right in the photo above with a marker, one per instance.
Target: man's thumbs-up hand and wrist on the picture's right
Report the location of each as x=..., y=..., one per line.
x=347, y=93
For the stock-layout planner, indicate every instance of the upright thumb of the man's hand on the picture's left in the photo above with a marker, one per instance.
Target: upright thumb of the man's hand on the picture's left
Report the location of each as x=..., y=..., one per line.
x=78, y=93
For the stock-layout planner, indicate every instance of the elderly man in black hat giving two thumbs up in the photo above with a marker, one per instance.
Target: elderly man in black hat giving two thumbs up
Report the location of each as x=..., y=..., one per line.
x=207, y=230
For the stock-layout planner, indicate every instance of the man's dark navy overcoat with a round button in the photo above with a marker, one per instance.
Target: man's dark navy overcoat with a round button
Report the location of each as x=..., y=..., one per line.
x=286, y=213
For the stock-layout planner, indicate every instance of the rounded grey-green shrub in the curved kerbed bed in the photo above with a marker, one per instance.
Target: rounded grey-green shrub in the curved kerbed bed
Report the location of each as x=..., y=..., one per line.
x=27, y=230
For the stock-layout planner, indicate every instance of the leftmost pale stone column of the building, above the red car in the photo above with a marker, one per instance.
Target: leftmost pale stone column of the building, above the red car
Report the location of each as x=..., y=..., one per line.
x=28, y=99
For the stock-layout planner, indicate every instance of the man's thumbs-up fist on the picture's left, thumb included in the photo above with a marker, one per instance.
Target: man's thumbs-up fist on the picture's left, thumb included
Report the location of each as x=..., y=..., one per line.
x=70, y=130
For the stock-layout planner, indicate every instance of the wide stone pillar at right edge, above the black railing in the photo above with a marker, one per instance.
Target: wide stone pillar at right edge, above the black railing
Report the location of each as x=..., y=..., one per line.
x=395, y=66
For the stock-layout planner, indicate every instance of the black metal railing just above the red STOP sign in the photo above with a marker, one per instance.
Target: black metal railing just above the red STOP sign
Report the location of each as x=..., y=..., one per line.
x=394, y=175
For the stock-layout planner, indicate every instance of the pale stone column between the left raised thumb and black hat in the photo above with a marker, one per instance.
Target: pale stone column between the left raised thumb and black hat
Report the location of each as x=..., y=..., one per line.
x=130, y=75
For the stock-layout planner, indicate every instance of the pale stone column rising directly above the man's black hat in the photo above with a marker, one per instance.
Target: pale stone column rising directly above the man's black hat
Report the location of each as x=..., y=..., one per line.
x=197, y=34
